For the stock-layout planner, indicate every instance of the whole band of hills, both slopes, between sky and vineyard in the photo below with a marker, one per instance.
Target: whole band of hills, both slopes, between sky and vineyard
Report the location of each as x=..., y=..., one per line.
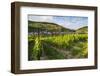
x=42, y=27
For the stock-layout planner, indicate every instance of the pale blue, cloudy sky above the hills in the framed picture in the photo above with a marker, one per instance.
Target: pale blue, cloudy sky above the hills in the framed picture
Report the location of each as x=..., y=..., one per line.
x=71, y=22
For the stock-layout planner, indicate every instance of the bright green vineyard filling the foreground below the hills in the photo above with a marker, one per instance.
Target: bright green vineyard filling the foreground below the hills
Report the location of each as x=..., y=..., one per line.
x=67, y=46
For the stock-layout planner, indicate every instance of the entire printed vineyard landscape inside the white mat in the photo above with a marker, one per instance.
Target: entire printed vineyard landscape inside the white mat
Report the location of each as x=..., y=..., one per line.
x=51, y=38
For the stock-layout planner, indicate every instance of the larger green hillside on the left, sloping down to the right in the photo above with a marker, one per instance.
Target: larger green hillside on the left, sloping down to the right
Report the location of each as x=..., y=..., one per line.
x=46, y=26
